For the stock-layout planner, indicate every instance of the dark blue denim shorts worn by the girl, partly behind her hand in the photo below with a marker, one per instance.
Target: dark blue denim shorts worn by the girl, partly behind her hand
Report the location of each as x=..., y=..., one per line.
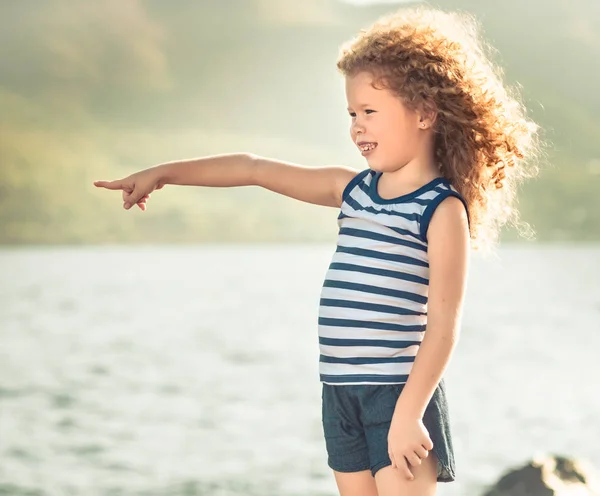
x=356, y=421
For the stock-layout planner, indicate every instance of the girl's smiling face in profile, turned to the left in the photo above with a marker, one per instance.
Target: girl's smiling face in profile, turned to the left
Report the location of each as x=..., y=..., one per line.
x=382, y=121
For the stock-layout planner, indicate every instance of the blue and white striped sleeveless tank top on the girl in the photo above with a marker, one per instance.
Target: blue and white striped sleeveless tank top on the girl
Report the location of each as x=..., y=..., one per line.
x=373, y=307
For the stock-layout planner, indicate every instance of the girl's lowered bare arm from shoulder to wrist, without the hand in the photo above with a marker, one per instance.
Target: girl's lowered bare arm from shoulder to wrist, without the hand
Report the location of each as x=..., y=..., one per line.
x=448, y=250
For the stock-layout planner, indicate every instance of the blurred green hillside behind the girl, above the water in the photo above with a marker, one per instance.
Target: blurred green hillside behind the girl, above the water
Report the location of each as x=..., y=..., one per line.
x=94, y=90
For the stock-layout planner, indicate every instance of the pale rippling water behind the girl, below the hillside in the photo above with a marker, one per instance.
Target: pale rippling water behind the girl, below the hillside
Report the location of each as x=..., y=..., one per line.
x=193, y=370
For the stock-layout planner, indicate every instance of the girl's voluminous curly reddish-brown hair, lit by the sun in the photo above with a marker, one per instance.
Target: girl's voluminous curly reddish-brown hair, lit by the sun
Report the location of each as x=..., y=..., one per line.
x=484, y=143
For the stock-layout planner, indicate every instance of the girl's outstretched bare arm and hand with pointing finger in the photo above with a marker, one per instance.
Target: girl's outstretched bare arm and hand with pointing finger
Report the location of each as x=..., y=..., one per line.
x=319, y=185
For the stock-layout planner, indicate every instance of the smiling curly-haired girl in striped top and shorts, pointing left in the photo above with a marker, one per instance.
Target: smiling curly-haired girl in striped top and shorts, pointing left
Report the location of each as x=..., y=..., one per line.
x=445, y=146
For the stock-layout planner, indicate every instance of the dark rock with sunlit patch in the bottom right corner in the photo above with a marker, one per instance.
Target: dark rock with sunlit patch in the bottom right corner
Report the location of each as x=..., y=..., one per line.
x=548, y=475
